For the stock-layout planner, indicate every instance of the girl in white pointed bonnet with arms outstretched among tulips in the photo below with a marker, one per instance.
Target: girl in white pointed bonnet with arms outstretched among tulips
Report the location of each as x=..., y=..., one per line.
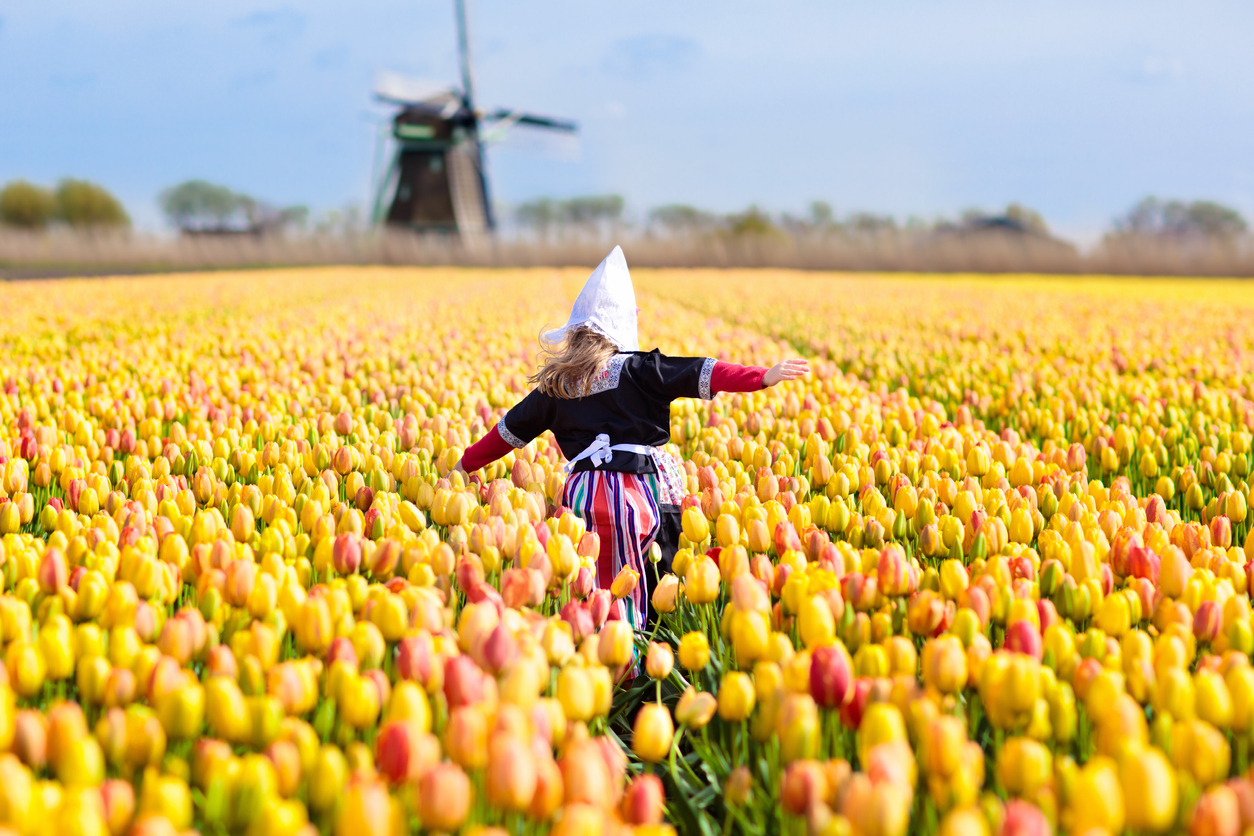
x=609, y=405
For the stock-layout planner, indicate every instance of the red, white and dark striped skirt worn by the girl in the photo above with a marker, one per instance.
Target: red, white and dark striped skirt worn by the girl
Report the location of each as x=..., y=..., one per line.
x=623, y=509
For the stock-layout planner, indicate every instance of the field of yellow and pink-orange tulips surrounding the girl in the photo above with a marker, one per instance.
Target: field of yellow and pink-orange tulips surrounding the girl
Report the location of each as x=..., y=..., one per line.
x=985, y=572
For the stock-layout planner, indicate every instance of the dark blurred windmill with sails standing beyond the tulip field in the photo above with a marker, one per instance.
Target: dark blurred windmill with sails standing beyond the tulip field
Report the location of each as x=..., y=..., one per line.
x=437, y=181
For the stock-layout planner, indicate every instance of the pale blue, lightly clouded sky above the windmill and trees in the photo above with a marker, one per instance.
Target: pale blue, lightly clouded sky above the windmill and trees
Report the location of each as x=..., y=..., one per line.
x=901, y=107
